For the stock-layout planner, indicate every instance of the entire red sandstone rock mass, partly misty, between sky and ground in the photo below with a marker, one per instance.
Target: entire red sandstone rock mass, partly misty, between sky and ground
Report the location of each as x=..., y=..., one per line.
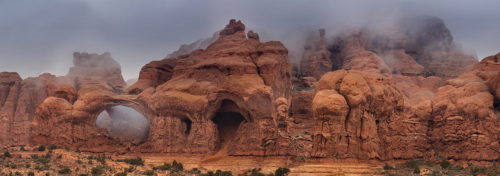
x=405, y=92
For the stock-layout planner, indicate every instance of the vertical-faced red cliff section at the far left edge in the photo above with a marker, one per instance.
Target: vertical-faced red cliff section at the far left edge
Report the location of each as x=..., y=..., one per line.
x=20, y=98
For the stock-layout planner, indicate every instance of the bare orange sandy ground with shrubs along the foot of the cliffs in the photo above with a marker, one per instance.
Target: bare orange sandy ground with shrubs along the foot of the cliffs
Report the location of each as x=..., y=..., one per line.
x=219, y=161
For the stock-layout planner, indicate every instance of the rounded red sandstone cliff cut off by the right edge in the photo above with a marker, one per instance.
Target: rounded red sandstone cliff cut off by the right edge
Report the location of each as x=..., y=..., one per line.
x=466, y=117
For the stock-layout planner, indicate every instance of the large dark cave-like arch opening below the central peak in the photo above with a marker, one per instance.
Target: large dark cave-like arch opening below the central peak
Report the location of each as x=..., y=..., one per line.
x=228, y=119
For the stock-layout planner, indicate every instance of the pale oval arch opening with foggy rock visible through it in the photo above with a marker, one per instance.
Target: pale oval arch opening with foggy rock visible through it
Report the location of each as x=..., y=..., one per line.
x=124, y=123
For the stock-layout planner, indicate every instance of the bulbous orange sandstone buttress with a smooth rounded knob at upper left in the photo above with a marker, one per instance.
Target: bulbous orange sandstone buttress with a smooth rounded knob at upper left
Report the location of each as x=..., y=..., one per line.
x=352, y=112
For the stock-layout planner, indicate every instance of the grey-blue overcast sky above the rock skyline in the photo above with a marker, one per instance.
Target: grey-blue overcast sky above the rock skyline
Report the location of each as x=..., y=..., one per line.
x=40, y=36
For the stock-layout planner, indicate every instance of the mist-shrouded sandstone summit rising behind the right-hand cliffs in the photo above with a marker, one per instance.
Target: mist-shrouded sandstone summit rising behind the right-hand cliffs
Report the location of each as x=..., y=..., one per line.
x=412, y=46
